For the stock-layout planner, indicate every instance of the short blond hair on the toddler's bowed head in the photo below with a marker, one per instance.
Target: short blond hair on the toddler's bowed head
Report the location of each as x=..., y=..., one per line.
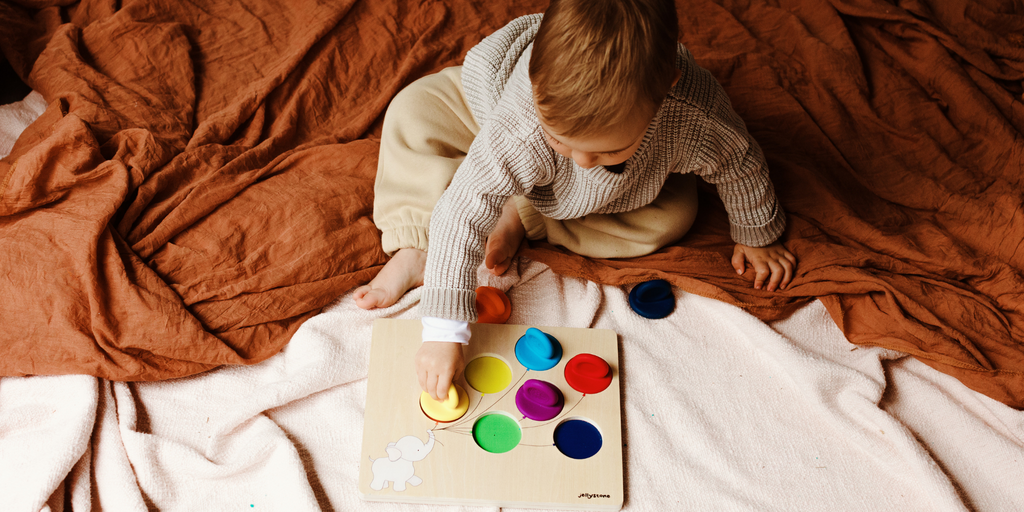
x=595, y=62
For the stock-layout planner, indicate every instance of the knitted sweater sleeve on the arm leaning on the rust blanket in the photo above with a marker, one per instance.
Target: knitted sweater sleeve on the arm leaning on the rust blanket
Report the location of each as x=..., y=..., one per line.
x=733, y=161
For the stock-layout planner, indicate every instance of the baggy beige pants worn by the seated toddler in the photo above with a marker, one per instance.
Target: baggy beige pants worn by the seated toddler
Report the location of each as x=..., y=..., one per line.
x=429, y=130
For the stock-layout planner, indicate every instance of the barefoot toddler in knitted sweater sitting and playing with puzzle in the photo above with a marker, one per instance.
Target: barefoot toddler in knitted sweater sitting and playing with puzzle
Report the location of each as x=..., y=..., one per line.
x=584, y=126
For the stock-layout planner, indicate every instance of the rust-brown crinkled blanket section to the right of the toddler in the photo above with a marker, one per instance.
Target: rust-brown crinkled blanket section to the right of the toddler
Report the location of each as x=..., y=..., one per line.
x=895, y=145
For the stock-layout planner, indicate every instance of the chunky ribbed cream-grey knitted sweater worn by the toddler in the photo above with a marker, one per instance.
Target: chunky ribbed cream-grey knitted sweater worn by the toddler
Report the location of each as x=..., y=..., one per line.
x=696, y=131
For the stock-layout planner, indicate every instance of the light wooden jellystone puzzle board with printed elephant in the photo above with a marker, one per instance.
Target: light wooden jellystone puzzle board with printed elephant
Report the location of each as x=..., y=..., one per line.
x=457, y=471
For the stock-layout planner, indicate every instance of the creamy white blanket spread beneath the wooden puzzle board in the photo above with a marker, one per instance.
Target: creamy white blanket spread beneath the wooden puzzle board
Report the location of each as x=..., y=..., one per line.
x=721, y=412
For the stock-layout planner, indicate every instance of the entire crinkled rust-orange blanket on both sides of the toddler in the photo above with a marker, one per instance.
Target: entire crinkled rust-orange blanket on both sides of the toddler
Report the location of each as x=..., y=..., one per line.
x=202, y=182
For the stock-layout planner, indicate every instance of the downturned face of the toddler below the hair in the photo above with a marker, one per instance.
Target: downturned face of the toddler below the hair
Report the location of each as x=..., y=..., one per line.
x=613, y=148
